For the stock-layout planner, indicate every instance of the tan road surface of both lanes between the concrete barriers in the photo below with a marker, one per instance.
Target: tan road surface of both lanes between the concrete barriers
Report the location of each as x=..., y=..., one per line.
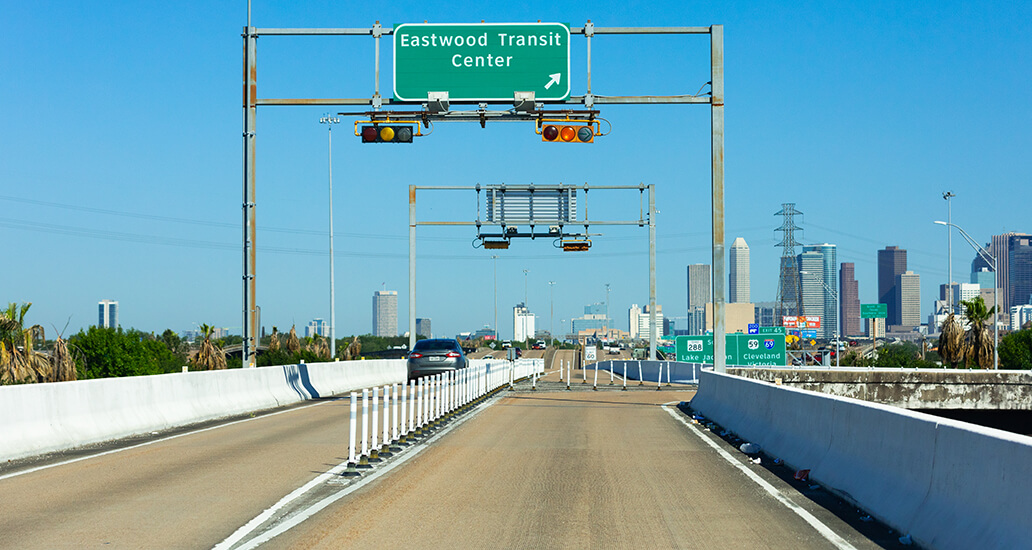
x=535, y=470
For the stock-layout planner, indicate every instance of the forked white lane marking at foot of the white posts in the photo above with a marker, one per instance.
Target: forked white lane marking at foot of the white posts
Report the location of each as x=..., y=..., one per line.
x=307, y=513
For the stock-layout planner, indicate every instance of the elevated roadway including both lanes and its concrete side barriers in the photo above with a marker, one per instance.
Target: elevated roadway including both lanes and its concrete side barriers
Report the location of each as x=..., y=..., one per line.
x=508, y=459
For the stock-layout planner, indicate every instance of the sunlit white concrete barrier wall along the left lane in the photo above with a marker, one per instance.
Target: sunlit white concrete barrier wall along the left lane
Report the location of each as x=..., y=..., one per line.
x=41, y=418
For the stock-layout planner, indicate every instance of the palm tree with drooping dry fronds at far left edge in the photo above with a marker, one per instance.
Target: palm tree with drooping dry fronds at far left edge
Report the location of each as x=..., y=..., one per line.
x=19, y=364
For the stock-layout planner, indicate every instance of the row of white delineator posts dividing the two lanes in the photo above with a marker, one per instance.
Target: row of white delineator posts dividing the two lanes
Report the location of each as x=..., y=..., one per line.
x=414, y=410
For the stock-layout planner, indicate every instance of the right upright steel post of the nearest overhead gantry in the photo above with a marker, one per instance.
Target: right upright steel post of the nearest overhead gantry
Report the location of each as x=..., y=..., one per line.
x=717, y=132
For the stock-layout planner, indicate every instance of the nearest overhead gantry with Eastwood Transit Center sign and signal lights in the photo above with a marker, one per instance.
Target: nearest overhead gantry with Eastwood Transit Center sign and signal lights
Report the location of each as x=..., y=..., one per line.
x=479, y=64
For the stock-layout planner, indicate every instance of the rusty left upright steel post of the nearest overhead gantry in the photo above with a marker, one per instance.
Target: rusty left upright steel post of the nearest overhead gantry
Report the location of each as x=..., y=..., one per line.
x=250, y=329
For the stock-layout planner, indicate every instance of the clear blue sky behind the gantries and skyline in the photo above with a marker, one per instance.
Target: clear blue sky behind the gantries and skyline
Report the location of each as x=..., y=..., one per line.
x=121, y=164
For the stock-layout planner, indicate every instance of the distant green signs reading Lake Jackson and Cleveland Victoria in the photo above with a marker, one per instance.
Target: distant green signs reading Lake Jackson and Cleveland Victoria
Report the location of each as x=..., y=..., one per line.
x=754, y=350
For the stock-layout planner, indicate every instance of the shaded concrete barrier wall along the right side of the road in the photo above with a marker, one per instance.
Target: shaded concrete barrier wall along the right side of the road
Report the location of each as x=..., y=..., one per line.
x=947, y=483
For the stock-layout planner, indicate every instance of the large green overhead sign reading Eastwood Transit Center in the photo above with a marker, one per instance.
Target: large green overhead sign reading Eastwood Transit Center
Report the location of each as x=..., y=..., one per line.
x=482, y=61
